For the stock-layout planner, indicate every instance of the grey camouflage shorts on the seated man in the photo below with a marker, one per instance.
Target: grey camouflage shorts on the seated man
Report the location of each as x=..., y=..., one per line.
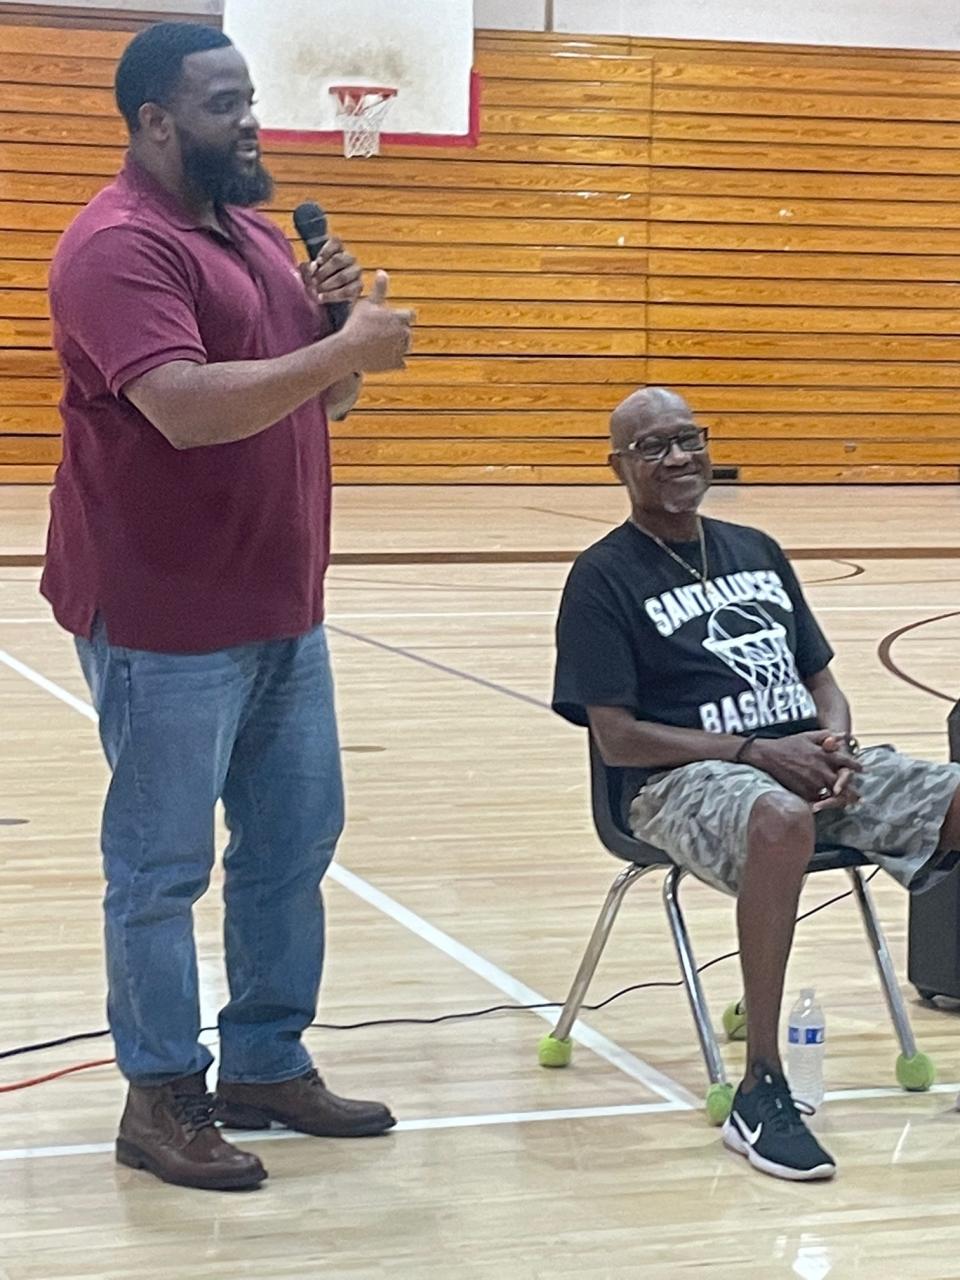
x=700, y=816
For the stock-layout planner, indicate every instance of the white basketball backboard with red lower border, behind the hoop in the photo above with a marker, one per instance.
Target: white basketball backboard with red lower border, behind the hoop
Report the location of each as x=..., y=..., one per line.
x=300, y=49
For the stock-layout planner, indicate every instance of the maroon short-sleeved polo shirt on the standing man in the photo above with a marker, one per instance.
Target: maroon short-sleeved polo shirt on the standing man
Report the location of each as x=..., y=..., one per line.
x=196, y=550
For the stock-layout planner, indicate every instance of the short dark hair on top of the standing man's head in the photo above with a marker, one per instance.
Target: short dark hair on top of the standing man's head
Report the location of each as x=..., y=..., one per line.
x=153, y=65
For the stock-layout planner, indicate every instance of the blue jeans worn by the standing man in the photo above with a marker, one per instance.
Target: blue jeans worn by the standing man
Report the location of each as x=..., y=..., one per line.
x=257, y=728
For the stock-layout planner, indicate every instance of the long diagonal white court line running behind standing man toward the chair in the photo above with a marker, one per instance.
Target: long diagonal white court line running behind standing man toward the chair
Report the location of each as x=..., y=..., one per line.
x=478, y=964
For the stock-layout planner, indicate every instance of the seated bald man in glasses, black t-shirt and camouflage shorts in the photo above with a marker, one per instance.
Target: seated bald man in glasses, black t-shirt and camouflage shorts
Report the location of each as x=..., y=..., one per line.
x=688, y=648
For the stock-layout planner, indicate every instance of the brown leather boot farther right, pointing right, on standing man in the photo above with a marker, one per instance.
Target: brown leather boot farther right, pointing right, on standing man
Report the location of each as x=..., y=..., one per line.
x=304, y=1104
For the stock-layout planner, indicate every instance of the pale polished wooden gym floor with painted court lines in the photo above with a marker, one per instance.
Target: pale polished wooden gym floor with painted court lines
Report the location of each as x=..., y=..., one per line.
x=470, y=876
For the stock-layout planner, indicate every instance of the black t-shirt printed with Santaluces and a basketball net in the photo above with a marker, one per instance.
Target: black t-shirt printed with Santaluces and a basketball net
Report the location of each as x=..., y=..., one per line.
x=729, y=656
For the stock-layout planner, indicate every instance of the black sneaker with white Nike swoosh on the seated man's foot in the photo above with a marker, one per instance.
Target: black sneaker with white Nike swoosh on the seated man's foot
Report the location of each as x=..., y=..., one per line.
x=767, y=1127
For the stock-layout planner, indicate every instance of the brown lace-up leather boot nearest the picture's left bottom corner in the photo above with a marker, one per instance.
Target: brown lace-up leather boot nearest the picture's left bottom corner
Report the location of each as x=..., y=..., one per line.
x=170, y=1131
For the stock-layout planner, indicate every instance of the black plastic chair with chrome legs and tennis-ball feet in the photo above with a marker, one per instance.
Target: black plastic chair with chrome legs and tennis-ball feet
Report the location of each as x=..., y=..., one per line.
x=915, y=1071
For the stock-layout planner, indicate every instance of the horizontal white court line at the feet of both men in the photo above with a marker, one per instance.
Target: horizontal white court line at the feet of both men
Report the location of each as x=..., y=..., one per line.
x=15, y=1155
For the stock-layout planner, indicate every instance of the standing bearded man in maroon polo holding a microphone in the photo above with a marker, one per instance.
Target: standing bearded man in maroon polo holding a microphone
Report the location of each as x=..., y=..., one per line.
x=188, y=548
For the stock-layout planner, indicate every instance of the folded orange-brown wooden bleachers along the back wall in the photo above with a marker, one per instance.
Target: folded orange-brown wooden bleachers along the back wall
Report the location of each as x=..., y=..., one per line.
x=770, y=230
